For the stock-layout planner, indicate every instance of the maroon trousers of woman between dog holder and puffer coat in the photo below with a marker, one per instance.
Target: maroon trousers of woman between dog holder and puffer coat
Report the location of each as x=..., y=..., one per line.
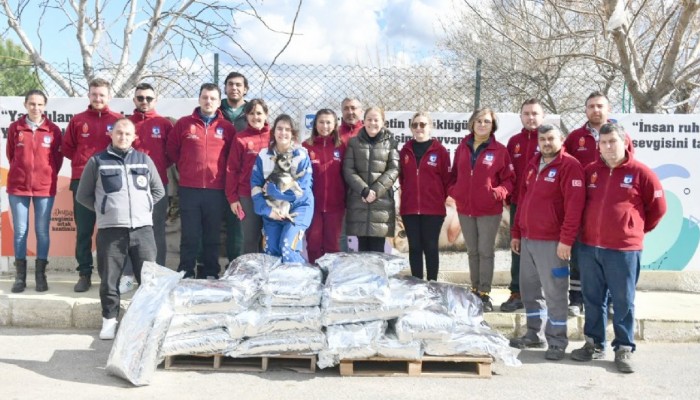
x=324, y=233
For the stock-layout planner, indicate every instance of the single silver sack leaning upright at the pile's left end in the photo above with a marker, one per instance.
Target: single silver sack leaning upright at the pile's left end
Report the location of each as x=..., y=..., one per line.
x=135, y=351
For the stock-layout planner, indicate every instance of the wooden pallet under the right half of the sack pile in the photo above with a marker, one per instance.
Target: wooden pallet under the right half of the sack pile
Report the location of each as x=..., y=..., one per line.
x=451, y=366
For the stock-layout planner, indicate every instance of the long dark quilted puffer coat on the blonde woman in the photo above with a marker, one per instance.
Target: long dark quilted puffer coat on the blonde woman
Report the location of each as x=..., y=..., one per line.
x=372, y=164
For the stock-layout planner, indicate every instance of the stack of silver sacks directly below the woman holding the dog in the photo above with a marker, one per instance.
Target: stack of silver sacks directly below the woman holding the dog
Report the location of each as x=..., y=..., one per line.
x=287, y=318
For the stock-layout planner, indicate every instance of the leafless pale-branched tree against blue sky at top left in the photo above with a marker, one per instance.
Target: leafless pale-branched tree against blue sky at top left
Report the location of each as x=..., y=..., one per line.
x=156, y=32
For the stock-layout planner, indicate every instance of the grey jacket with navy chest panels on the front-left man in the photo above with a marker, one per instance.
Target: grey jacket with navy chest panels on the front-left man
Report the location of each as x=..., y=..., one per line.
x=121, y=188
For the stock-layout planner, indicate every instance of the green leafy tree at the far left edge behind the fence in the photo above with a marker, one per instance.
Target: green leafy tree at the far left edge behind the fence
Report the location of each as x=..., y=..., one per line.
x=16, y=75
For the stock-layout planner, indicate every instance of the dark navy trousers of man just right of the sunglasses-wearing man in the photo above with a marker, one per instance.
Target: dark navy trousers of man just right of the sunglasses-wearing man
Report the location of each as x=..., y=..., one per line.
x=201, y=213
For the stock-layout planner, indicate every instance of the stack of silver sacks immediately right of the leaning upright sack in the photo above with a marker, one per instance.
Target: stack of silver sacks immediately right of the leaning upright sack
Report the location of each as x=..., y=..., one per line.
x=210, y=314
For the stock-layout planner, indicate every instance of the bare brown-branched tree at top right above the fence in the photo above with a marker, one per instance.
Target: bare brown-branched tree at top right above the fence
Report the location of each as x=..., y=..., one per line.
x=653, y=45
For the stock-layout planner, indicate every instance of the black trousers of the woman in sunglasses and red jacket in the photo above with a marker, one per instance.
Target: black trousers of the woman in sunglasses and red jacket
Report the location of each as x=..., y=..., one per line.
x=423, y=232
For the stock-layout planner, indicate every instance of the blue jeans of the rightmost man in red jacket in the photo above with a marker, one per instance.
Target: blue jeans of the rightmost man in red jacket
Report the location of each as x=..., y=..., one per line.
x=617, y=271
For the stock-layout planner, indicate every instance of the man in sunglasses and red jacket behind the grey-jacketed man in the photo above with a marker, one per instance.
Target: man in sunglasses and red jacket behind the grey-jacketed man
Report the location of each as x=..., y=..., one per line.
x=152, y=132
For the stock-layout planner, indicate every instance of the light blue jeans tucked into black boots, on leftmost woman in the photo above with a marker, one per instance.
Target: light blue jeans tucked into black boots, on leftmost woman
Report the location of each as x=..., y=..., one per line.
x=19, y=205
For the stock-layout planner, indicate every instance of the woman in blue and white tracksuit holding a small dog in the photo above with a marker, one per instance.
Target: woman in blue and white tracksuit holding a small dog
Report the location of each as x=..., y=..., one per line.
x=282, y=236
